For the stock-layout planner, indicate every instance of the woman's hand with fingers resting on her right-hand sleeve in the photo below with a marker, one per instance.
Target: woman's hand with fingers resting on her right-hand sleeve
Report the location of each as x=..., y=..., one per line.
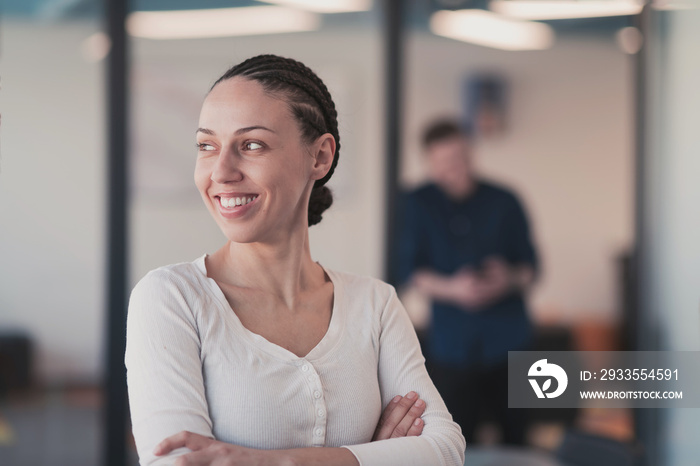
x=401, y=418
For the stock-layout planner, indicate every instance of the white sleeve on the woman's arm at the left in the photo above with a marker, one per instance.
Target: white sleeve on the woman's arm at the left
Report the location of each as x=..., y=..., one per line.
x=164, y=370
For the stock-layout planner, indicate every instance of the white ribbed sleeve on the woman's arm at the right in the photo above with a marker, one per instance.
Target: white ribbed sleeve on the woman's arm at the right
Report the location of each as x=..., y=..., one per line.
x=401, y=368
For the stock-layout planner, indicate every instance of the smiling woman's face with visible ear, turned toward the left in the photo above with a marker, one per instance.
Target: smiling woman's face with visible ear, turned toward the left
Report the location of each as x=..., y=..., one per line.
x=253, y=170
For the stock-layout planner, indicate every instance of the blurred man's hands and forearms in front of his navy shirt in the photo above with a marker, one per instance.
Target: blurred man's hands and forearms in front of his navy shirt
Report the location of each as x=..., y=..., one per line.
x=471, y=289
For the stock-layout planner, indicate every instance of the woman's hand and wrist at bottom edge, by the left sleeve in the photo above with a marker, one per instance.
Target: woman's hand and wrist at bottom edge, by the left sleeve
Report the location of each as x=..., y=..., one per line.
x=210, y=452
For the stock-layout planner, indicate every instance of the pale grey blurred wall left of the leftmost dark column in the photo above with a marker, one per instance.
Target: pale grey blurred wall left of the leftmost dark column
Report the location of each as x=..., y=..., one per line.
x=52, y=195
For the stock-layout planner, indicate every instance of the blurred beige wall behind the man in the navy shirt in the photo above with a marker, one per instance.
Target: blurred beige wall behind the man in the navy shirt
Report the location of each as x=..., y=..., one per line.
x=567, y=150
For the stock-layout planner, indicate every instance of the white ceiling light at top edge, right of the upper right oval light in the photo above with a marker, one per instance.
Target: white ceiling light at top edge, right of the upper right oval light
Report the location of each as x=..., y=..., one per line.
x=564, y=9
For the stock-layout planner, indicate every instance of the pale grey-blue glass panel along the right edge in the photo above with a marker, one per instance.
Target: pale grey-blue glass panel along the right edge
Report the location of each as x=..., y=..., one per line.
x=670, y=224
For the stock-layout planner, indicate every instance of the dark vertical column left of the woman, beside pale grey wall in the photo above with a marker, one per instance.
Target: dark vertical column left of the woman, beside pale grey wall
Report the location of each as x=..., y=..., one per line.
x=115, y=416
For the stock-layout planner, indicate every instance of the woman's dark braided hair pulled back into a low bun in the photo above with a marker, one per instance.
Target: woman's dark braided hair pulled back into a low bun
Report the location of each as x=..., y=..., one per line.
x=310, y=103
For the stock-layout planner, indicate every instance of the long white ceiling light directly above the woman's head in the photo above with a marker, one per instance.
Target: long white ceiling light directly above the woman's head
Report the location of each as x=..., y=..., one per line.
x=220, y=22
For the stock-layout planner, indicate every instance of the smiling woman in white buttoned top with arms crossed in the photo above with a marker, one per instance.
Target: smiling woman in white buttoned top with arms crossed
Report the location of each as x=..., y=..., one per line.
x=256, y=354
